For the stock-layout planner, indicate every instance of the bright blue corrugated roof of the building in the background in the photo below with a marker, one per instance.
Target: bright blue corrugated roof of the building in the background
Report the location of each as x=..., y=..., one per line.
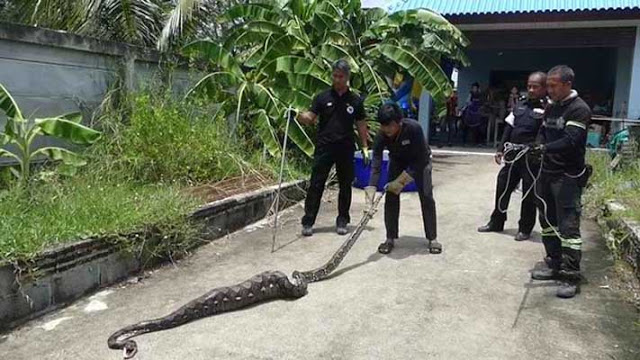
x=478, y=7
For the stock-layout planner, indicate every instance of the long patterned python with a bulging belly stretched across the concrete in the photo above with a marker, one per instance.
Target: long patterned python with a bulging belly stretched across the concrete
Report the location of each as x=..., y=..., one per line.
x=266, y=286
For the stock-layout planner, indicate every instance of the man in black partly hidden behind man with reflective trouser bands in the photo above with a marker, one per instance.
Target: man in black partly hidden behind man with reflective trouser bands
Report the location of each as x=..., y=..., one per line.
x=522, y=128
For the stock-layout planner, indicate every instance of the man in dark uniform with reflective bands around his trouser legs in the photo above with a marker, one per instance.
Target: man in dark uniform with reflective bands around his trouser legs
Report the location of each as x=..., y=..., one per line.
x=562, y=141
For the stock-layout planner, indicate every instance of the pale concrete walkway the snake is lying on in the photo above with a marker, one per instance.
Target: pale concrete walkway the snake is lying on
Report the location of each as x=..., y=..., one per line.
x=474, y=301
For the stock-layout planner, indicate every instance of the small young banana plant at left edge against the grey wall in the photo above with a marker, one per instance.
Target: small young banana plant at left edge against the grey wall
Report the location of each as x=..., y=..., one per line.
x=21, y=134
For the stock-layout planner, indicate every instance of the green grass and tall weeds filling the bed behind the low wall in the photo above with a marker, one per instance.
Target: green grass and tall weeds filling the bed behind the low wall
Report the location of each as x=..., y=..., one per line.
x=136, y=177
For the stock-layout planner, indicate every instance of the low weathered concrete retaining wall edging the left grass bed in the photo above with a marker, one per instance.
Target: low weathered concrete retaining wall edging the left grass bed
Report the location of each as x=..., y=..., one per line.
x=68, y=272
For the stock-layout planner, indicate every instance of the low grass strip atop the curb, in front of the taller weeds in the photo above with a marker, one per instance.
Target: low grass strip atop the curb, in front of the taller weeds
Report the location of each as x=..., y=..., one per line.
x=62, y=210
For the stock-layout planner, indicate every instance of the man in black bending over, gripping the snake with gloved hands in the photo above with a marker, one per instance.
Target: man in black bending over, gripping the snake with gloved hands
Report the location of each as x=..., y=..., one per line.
x=410, y=159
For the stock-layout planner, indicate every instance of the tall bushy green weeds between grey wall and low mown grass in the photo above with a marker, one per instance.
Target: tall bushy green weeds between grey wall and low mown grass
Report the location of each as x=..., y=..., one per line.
x=169, y=140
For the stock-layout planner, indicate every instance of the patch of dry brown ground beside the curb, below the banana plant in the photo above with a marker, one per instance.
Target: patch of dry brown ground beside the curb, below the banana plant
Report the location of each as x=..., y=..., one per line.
x=232, y=186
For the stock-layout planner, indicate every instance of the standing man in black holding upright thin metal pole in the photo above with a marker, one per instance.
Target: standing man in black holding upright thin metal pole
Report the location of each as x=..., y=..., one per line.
x=339, y=110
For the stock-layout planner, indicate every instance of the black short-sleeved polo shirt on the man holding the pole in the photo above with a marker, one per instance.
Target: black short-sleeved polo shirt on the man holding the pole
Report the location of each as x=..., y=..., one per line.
x=337, y=116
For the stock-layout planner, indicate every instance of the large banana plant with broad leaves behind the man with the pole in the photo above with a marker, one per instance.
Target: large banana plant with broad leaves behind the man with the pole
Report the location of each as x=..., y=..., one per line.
x=275, y=54
